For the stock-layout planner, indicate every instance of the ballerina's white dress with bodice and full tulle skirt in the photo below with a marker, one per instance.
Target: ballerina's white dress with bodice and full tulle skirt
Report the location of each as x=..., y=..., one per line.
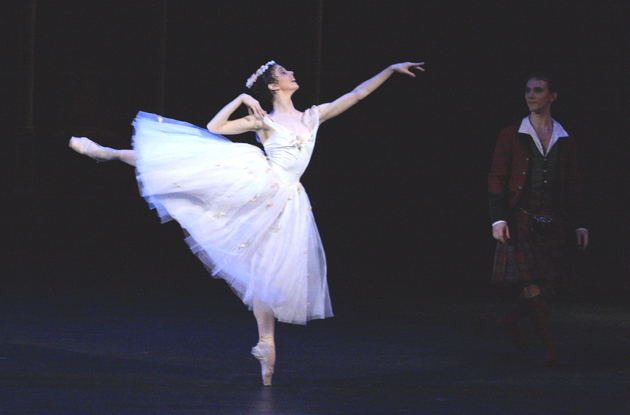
x=246, y=215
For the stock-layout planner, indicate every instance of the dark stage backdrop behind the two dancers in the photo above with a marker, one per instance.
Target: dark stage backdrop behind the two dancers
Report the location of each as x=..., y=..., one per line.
x=398, y=183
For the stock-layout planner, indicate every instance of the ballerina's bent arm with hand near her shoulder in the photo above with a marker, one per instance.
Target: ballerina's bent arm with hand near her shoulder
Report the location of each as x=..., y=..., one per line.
x=221, y=124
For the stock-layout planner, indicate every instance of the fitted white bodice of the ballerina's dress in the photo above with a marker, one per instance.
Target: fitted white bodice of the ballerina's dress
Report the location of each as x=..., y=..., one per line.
x=289, y=152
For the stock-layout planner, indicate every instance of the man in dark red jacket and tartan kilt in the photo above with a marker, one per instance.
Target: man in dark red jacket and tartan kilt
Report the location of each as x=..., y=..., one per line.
x=535, y=194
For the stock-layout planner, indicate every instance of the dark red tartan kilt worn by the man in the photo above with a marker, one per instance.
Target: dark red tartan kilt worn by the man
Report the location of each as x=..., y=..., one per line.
x=529, y=258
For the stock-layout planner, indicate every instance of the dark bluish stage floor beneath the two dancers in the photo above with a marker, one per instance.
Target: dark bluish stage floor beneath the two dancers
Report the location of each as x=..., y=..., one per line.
x=106, y=350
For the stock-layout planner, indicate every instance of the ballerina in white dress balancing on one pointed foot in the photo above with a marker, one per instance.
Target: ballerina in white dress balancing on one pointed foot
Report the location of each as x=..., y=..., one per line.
x=244, y=211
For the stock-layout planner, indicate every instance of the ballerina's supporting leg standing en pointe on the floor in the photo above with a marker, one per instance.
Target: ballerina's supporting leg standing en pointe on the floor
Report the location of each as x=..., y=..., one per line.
x=265, y=350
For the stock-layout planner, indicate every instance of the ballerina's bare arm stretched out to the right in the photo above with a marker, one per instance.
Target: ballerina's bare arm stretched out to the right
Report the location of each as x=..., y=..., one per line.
x=330, y=110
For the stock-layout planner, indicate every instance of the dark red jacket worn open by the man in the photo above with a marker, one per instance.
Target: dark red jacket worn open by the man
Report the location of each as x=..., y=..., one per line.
x=510, y=167
